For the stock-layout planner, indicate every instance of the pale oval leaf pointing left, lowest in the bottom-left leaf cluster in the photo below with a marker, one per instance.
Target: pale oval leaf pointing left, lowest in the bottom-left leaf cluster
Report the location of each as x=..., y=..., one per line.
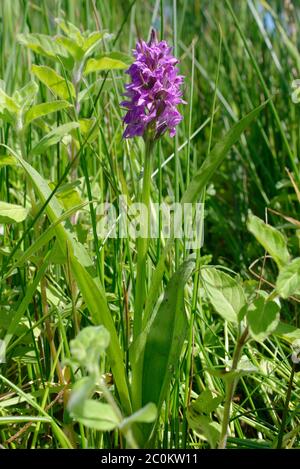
x=96, y=415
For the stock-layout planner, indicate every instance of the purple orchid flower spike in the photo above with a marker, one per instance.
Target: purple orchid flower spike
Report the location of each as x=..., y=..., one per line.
x=154, y=91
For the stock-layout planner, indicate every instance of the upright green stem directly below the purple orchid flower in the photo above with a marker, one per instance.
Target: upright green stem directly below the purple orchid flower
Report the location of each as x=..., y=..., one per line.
x=142, y=244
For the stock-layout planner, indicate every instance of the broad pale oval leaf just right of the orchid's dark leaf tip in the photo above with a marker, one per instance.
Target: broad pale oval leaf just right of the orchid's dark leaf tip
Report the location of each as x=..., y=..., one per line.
x=224, y=292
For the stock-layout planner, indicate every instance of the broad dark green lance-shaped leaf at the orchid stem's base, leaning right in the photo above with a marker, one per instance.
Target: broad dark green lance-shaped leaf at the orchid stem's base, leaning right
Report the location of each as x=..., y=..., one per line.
x=164, y=342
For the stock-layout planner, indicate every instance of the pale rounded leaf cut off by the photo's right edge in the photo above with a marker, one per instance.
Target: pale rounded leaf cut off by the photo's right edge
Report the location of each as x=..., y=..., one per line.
x=288, y=280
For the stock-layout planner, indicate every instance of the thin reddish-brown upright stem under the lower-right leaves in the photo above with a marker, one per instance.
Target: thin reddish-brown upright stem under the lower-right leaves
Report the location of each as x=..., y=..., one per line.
x=230, y=388
